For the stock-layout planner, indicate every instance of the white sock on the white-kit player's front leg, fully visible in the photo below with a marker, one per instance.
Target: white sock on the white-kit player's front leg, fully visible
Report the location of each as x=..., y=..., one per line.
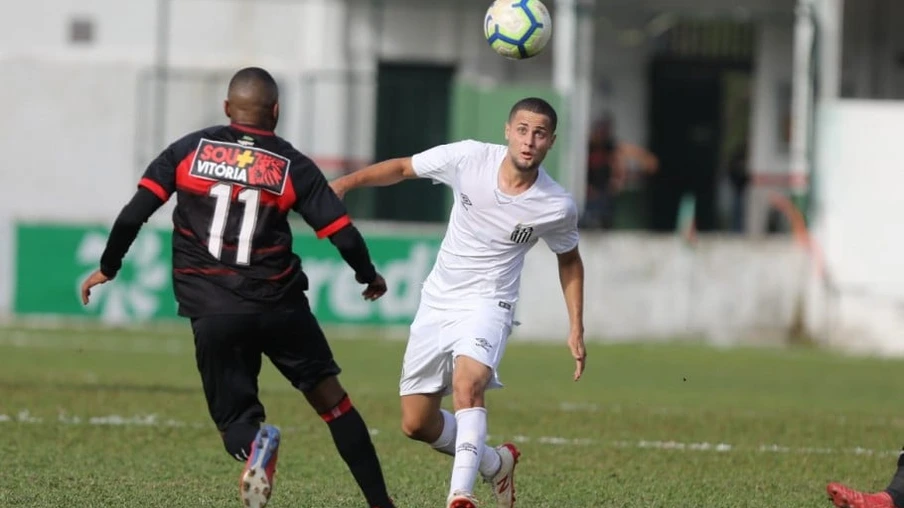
x=470, y=438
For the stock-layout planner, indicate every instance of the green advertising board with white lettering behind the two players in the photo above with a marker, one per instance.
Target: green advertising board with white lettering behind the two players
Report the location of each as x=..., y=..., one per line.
x=52, y=260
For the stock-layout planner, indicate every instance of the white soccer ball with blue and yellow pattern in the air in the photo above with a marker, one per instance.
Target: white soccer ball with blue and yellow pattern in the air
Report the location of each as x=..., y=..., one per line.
x=517, y=29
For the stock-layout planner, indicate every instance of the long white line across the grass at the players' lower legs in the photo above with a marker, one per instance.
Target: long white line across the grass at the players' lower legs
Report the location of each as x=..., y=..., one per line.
x=151, y=420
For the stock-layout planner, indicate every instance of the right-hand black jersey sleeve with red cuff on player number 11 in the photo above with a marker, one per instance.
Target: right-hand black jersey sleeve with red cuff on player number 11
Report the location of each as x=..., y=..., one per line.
x=318, y=205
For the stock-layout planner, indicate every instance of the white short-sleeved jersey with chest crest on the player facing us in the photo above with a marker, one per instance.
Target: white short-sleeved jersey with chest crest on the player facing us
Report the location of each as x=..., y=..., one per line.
x=489, y=232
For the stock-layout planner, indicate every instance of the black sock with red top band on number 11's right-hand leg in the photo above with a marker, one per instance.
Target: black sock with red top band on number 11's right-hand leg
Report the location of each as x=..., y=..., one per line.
x=357, y=450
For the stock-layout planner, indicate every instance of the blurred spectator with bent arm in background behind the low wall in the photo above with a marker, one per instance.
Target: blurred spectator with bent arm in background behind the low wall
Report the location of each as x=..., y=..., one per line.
x=610, y=164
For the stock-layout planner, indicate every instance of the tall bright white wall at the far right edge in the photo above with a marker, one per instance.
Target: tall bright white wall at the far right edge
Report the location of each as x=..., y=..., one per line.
x=856, y=296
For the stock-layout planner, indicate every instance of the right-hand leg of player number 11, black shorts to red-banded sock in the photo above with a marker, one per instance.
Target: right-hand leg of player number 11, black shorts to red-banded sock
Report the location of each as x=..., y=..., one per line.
x=298, y=348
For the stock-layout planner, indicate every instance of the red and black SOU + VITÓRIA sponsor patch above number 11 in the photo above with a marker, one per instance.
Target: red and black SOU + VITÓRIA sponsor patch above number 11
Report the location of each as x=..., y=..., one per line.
x=245, y=165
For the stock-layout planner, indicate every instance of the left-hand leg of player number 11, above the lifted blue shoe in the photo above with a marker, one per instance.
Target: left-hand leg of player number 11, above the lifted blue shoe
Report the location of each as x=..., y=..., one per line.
x=229, y=368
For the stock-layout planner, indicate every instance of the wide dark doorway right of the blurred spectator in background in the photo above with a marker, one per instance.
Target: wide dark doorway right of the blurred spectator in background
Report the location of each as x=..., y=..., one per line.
x=699, y=98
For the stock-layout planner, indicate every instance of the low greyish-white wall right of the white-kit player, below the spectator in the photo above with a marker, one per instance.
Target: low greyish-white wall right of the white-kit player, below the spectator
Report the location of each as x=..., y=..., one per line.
x=722, y=290
